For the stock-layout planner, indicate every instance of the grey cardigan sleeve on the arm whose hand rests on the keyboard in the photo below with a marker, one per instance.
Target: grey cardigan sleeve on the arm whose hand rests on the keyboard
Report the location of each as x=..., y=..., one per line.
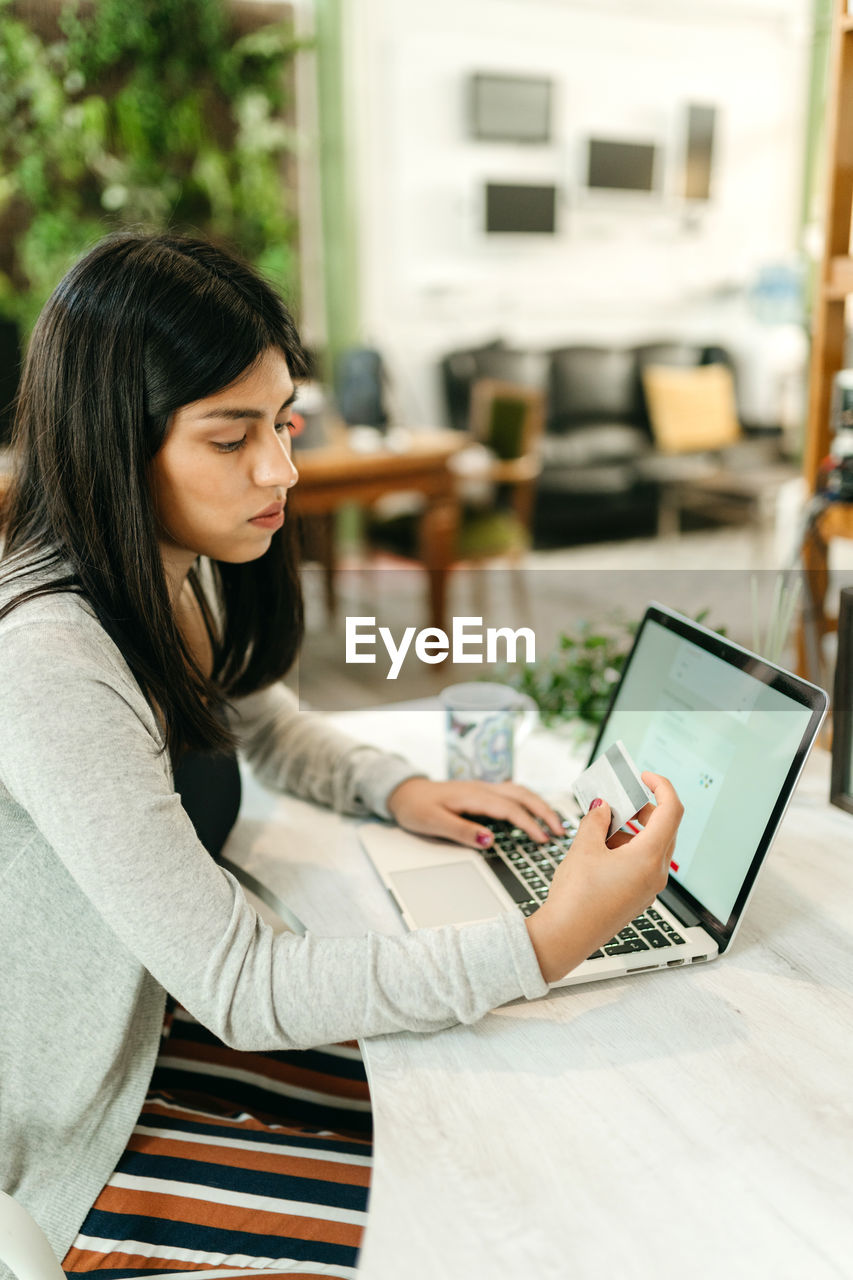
x=299, y=752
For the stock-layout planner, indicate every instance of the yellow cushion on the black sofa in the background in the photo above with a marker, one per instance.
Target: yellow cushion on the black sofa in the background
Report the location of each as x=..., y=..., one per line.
x=692, y=409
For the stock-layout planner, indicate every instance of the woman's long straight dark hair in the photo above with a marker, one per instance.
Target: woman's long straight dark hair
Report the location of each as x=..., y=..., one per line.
x=139, y=328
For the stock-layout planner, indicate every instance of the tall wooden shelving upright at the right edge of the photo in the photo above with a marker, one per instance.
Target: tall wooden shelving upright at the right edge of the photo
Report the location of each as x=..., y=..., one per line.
x=829, y=328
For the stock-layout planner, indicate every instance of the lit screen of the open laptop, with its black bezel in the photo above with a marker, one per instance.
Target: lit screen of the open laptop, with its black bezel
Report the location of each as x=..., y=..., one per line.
x=731, y=733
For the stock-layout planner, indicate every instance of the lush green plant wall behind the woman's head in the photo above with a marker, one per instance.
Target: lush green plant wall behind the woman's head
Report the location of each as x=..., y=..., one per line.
x=148, y=115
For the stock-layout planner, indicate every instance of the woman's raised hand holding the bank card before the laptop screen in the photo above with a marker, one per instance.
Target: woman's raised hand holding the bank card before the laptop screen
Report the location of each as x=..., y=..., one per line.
x=600, y=888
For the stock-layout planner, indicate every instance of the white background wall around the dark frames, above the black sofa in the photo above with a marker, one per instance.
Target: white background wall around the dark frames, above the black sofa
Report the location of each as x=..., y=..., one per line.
x=619, y=268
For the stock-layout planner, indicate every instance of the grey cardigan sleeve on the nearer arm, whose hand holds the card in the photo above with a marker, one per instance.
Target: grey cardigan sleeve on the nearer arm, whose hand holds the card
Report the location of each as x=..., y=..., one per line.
x=80, y=753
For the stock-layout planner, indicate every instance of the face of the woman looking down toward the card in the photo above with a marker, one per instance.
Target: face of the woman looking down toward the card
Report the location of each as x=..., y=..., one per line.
x=226, y=459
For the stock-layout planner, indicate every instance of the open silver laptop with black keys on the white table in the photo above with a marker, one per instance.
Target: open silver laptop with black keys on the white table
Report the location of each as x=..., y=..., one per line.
x=732, y=733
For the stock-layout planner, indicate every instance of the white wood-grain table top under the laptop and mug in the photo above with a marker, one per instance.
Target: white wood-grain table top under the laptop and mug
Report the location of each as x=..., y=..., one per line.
x=697, y=1122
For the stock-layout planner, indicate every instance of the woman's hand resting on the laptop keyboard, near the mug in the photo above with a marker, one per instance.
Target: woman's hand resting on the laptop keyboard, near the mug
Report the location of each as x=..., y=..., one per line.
x=436, y=810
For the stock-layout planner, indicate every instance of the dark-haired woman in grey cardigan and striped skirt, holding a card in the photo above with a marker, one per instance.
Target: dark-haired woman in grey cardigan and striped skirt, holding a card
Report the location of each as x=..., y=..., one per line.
x=166, y=1100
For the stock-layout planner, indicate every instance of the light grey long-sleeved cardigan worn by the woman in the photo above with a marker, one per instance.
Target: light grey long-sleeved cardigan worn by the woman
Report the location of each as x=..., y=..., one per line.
x=108, y=900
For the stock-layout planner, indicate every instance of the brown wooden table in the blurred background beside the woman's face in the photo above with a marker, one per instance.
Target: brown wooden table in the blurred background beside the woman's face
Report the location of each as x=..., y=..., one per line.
x=336, y=474
